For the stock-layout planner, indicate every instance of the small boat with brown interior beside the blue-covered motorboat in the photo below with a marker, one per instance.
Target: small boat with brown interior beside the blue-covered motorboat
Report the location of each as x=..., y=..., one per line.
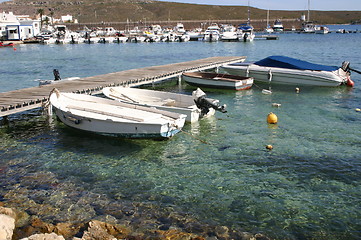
x=217, y=80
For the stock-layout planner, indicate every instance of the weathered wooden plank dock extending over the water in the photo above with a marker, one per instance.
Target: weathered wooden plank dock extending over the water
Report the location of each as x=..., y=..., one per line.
x=30, y=98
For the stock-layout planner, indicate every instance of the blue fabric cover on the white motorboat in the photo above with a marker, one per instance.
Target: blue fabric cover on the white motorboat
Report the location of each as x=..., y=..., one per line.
x=293, y=63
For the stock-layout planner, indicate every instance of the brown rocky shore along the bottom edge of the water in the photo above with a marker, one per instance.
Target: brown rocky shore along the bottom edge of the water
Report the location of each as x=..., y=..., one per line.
x=19, y=225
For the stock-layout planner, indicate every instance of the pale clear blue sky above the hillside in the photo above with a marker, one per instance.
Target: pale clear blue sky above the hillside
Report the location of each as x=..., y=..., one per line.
x=336, y=5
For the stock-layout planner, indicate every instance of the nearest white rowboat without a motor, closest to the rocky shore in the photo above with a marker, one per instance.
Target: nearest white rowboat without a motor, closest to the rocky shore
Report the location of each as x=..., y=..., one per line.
x=111, y=118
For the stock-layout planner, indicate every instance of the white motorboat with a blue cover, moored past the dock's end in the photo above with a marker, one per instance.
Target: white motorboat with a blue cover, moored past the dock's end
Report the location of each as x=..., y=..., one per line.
x=286, y=70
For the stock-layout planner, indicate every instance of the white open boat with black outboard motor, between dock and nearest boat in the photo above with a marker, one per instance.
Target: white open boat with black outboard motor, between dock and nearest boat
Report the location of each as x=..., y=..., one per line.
x=173, y=102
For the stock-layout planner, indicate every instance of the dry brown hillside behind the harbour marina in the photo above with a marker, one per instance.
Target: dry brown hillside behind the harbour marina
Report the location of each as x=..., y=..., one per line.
x=91, y=11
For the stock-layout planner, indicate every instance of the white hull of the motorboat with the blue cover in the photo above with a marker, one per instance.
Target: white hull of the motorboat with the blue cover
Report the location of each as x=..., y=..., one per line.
x=285, y=76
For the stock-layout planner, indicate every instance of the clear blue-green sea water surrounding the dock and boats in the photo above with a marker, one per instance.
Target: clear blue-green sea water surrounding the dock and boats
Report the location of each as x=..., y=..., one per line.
x=217, y=173
